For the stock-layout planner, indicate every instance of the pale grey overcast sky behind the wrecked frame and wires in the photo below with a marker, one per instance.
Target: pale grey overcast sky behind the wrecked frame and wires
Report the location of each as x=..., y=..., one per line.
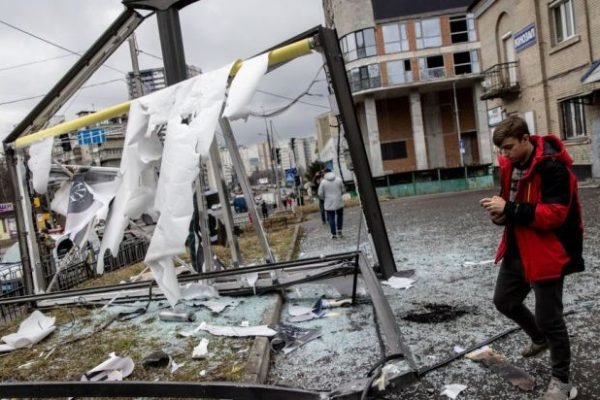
x=215, y=32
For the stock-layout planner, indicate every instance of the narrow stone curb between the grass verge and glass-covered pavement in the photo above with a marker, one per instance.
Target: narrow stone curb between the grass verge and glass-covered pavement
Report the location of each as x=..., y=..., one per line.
x=259, y=359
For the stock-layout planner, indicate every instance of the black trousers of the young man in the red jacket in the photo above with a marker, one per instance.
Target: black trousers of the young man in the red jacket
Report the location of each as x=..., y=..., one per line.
x=548, y=322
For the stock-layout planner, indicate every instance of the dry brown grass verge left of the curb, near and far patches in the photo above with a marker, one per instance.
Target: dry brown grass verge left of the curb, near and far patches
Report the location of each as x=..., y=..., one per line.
x=68, y=362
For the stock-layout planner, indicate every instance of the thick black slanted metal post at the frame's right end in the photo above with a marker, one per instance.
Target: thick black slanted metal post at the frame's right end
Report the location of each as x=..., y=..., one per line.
x=362, y=170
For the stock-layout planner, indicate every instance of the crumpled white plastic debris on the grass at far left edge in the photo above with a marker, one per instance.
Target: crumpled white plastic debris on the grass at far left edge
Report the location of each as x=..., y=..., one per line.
x=31, y=331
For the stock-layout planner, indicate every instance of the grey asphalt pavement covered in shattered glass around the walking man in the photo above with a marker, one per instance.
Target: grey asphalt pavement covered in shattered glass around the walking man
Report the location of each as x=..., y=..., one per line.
x=443, y=238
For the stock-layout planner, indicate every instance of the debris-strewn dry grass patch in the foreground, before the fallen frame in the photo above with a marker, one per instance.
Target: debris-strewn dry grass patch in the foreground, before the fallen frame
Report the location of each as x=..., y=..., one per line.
x=227, y=361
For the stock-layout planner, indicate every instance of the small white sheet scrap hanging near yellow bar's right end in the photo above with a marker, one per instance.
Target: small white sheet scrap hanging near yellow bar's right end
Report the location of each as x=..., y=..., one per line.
x=244, y=86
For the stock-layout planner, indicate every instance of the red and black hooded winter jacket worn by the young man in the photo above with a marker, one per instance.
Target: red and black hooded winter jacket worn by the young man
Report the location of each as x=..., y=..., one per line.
x=546, y=213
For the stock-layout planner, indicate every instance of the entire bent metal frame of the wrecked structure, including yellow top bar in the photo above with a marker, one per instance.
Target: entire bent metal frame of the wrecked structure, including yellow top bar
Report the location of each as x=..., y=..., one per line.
x=321, y=39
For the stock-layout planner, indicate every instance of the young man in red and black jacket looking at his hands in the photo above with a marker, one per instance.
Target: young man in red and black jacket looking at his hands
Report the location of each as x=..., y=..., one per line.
x=542, y=240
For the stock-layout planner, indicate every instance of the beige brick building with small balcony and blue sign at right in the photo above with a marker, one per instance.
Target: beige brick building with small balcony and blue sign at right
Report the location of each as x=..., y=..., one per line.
x=541, y=61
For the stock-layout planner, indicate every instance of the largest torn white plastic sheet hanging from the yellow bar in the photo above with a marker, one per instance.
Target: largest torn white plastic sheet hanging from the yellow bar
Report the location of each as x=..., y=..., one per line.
x=190, y=111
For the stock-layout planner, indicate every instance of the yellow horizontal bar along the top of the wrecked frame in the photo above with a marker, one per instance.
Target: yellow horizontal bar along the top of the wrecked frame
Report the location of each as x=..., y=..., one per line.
x=276, y=57
